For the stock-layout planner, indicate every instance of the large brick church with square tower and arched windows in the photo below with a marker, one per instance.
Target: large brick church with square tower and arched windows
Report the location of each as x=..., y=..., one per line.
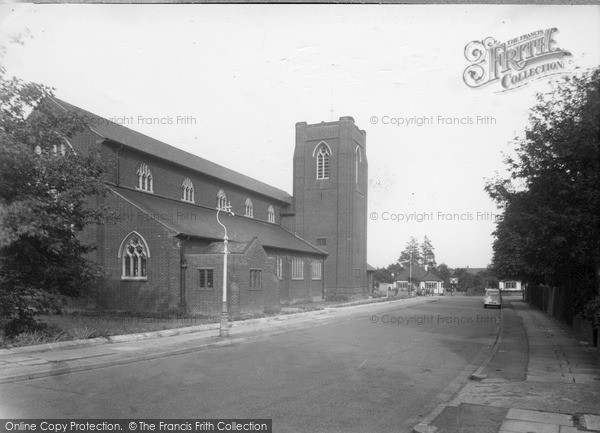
x=166, y=252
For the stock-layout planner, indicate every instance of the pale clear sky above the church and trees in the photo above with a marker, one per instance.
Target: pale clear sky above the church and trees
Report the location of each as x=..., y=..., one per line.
x=229, y=83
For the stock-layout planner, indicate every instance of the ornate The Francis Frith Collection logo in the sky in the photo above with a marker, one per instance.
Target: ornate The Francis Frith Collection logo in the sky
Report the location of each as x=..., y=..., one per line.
x=514, y=63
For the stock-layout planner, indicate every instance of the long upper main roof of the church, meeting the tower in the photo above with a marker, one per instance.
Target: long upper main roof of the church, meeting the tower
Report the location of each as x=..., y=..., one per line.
x=138, y=141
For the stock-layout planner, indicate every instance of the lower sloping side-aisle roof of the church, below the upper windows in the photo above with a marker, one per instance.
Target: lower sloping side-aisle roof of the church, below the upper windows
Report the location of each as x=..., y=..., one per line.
x=193, y=220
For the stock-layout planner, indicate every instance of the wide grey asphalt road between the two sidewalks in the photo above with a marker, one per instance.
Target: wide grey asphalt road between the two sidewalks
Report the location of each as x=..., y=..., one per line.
x=366, y=372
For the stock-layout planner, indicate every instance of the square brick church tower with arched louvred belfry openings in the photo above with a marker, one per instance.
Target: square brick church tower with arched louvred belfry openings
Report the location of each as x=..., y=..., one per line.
x=330, y=200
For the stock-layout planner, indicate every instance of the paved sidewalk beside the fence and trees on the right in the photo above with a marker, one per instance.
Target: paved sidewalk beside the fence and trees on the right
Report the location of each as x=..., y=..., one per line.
x=539, y=379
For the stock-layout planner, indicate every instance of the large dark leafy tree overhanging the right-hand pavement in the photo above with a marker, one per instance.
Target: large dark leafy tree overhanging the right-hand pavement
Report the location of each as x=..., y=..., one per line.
x=550, y=231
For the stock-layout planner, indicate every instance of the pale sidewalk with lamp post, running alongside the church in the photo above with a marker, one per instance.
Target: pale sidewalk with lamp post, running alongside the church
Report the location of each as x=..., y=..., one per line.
x=45, y=360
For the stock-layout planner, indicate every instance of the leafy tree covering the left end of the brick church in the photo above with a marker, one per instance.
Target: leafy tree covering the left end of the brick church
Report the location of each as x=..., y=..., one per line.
x=46, y=200
